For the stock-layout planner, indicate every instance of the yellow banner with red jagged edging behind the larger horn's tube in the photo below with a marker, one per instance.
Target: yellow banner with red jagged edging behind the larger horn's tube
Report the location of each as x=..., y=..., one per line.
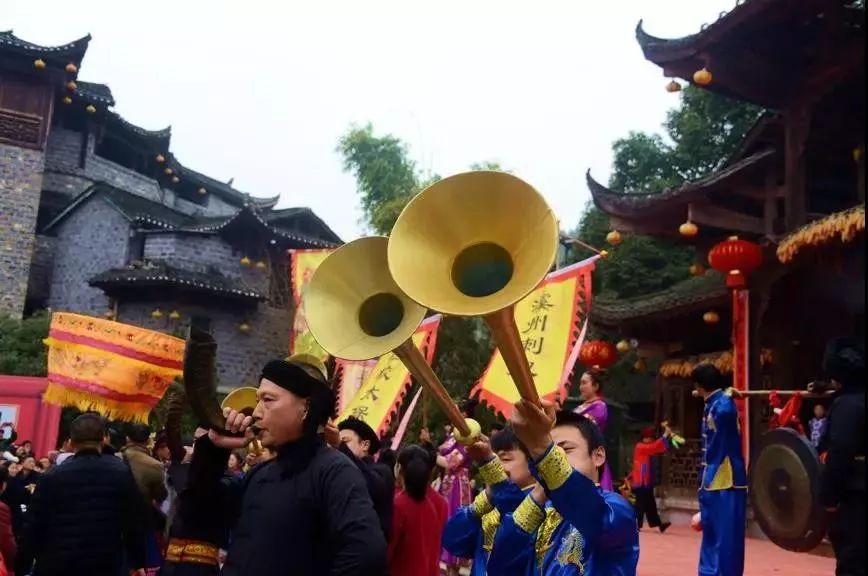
x=551, y=323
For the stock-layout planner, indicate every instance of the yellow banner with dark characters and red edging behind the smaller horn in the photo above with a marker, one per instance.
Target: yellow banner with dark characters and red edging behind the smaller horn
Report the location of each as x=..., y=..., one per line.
x=382, y=391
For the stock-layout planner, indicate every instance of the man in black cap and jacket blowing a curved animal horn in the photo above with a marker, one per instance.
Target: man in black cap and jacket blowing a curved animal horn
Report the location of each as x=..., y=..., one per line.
x=307, y=511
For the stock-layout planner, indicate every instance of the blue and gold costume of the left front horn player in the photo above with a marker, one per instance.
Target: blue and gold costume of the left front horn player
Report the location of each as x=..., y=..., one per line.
x=470, y=531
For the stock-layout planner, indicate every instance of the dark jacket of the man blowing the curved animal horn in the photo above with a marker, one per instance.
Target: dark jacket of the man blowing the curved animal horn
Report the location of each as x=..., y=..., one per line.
x=305, y=513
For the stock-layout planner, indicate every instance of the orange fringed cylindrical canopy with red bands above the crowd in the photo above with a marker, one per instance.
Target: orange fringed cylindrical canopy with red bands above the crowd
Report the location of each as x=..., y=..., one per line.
x=118, y=370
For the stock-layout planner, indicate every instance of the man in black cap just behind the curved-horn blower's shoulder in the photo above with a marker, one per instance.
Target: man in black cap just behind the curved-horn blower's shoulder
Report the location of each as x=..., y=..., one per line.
x=360, y=443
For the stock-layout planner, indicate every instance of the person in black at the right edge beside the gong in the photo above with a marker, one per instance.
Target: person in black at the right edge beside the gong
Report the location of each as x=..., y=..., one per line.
x=843, y=483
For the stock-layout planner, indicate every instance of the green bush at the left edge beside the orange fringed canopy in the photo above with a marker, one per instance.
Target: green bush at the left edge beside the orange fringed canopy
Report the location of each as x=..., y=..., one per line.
x=22, y=352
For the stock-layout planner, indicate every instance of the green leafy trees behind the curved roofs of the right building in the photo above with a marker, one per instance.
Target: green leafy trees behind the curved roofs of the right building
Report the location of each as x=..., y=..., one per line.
x=699, y=135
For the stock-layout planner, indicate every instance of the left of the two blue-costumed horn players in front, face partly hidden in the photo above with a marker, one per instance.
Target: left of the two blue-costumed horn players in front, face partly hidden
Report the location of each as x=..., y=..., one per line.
x=504, y=470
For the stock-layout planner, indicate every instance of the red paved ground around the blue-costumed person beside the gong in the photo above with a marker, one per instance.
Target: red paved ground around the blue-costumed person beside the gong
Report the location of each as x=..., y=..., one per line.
x=676, y=553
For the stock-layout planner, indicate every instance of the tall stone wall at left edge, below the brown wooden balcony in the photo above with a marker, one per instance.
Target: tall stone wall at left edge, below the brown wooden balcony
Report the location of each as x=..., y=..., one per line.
x=20, y=189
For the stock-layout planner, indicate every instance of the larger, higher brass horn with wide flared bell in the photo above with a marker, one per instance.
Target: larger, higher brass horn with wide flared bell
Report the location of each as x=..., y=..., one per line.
x=474, y=244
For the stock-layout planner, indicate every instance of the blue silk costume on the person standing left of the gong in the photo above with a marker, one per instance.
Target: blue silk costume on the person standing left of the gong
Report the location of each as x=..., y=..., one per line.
x=723, y=490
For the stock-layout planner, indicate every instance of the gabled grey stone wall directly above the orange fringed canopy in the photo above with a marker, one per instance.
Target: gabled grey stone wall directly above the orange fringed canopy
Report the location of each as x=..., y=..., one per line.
x=91, y=240
